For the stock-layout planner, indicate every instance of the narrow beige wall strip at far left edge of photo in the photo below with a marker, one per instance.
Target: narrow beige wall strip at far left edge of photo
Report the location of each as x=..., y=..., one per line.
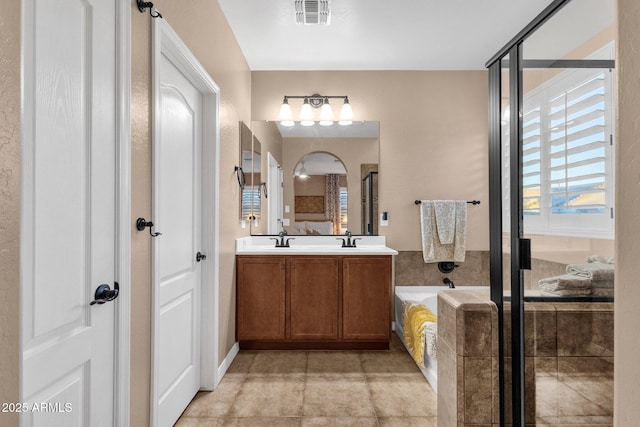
x=9, y=204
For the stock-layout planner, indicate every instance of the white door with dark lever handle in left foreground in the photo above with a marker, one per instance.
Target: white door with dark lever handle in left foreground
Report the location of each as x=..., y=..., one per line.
x=68, y=236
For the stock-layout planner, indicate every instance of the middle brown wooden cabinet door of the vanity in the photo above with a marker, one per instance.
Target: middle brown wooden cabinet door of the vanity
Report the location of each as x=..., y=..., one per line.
x=314, y=298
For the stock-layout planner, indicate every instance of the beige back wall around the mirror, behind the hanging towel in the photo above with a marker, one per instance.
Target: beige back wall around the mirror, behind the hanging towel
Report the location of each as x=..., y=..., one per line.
x=432, y=124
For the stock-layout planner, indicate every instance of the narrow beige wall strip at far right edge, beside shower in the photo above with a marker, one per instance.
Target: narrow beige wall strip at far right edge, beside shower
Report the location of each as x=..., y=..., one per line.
x=627, y=318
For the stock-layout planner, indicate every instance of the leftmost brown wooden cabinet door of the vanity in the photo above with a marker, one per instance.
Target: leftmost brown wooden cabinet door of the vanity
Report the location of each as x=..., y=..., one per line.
x=261, y=298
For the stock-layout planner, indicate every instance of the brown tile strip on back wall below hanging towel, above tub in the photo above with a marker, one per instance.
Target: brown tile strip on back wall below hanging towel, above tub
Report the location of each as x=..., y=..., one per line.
x=411, y=270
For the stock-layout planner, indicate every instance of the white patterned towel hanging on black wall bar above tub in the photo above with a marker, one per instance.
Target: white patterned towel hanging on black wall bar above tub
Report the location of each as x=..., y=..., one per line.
x=433, y=250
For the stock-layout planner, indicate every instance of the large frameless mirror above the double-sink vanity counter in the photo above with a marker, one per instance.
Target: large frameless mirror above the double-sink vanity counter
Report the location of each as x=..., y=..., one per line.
x=322, y=171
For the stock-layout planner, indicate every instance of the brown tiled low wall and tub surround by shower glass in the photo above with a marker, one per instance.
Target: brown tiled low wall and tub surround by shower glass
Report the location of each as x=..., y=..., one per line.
x=568, y=362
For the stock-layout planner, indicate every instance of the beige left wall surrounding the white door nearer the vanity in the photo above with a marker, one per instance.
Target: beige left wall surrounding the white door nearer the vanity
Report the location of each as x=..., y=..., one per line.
x=204, y=30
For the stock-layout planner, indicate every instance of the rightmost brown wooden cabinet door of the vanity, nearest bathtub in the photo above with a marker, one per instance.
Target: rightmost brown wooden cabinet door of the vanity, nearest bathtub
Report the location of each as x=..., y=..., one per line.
x=366, y=296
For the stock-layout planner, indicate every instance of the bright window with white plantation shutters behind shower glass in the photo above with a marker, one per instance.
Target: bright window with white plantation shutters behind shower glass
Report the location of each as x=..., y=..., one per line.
x=567, y=155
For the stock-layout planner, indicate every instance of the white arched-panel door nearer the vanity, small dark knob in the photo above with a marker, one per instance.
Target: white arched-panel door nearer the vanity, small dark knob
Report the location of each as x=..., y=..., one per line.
x=178, y=216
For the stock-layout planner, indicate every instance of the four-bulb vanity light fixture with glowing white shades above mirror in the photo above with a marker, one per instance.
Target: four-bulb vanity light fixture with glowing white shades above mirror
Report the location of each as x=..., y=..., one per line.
x=306, y=112
